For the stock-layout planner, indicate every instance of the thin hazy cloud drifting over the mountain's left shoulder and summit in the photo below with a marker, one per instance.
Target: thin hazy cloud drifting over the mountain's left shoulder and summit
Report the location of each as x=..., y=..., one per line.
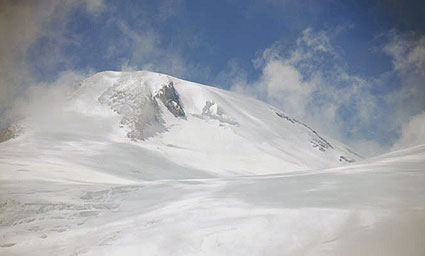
x=24, y=23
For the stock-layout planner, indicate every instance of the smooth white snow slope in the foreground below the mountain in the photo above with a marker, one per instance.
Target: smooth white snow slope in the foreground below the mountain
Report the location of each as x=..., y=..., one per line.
x=374, y=207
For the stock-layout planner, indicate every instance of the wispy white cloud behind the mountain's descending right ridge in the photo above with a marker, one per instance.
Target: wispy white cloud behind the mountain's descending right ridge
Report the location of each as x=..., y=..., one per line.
x=310, y=82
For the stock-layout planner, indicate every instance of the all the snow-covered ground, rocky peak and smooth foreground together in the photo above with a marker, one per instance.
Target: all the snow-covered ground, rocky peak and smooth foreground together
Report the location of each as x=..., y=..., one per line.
x=147, y=164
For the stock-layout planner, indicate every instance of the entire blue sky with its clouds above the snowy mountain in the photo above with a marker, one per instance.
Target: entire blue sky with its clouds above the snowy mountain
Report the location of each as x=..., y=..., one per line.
x=354, y=70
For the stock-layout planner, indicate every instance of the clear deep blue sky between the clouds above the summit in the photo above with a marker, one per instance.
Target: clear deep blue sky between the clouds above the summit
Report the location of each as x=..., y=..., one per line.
x=212, y=33
